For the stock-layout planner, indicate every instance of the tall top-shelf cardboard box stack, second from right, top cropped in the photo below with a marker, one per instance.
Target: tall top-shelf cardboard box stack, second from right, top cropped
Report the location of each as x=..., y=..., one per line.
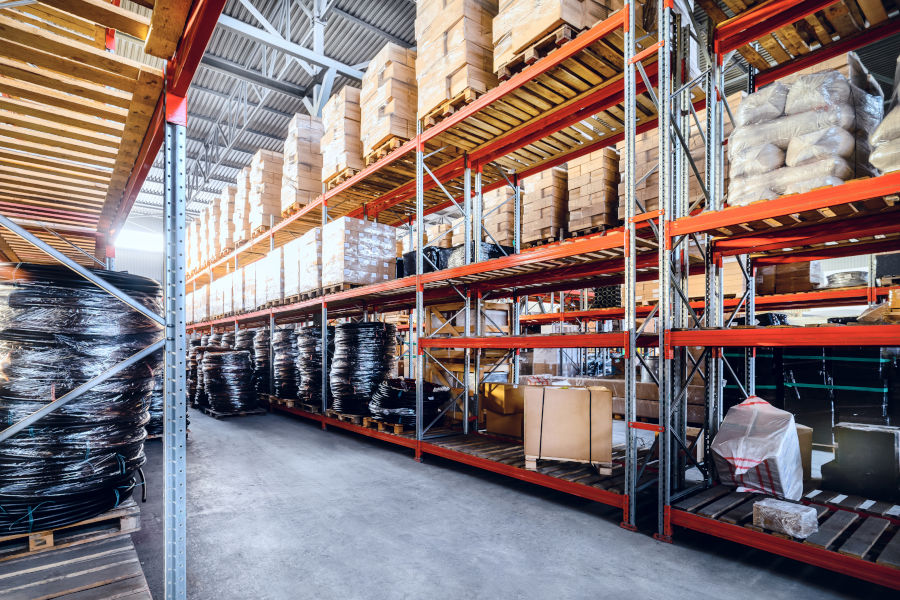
x=455, y=50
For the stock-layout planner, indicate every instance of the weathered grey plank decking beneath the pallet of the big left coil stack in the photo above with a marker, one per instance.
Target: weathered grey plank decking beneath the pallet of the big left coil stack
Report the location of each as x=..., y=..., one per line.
x=101, y=569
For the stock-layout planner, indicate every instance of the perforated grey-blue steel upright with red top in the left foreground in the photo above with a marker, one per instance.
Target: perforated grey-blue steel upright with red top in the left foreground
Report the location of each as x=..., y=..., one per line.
x=175, y=436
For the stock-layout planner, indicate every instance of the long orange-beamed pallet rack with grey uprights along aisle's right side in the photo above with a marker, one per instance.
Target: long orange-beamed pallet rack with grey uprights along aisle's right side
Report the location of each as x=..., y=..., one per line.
x=607, y=85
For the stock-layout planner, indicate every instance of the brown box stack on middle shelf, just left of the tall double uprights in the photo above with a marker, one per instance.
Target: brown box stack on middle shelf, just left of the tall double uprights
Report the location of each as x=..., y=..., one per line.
x=593, y=191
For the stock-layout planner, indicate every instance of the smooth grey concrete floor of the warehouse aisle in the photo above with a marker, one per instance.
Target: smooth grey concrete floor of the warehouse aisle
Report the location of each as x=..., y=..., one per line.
x=278, y=509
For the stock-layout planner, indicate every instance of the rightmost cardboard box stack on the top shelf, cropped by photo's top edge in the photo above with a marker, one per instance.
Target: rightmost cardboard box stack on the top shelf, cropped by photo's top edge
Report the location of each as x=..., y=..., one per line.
x=521, y=23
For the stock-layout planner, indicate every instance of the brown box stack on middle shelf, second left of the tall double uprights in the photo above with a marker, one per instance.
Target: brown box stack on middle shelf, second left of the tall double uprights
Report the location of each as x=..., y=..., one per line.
x=544, y=205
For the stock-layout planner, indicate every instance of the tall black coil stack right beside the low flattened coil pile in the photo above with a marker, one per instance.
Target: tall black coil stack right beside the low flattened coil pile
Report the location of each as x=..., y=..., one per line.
x=363, y=355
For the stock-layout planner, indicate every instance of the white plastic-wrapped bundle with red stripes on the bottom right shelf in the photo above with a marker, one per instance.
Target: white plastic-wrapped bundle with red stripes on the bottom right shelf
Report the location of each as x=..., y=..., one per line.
x=756, y=449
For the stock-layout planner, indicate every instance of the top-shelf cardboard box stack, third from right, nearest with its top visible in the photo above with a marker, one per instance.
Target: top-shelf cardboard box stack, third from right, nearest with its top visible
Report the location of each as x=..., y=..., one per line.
x=388, y=101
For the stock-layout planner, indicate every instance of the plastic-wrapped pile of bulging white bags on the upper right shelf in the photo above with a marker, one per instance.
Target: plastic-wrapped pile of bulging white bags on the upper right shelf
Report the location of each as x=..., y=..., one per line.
x=794, y=137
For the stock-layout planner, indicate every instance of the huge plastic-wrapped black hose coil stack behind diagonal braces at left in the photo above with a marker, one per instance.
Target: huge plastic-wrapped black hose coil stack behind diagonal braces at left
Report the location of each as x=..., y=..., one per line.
x=58, y=331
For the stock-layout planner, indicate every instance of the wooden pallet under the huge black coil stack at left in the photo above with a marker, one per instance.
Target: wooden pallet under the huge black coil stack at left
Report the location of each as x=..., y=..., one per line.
x=125, y=518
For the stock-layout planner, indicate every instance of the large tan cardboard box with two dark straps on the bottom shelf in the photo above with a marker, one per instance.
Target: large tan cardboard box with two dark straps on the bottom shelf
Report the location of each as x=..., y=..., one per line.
x=567, y=423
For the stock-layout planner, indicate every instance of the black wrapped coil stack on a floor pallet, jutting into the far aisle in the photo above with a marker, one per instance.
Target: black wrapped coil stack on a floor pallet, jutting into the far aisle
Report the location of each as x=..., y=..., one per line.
x=228, y=382
